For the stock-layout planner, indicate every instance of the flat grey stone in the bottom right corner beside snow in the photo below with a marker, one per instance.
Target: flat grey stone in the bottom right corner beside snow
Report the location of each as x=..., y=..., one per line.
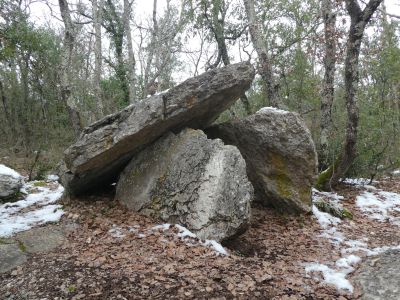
x=379, y=277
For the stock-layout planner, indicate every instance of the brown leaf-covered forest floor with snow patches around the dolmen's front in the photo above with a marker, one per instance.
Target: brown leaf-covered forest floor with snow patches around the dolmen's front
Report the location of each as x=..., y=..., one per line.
x=108, y=252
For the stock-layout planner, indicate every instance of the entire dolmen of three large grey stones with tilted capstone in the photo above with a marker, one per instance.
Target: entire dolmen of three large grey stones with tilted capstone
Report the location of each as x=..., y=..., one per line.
x=170, y=161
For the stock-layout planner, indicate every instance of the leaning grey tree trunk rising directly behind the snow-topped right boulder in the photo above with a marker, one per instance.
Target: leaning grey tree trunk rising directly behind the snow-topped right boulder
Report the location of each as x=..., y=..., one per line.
x=264, y=61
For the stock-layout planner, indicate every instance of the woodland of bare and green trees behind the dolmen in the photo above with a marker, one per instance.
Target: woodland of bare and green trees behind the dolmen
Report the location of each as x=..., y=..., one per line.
x=96, y=57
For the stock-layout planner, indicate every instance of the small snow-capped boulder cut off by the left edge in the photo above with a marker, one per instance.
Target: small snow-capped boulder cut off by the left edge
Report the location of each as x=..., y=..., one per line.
x=10, y=182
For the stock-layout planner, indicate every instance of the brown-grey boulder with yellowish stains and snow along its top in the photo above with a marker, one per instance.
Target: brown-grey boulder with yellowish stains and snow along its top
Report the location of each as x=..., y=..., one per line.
x=280, y=156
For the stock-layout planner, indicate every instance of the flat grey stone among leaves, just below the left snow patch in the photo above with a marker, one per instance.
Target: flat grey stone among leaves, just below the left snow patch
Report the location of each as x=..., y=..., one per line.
x=41, y=239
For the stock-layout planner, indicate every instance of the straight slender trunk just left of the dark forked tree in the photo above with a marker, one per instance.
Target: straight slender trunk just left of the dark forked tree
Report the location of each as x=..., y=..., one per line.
x=327, y=95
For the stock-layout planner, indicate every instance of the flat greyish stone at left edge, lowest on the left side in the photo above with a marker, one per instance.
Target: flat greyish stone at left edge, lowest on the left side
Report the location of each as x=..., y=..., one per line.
x=11, y=256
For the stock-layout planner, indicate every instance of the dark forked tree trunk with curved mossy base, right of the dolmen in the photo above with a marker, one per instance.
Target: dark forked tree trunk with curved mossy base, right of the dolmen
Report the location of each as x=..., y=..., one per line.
x=359, y=20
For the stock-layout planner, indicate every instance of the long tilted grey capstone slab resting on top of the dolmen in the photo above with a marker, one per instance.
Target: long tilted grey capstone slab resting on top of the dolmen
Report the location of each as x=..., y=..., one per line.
x=105, y=147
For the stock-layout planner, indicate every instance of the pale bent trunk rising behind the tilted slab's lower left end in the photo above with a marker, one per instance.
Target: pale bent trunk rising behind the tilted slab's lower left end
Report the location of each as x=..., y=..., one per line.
x=66, y=80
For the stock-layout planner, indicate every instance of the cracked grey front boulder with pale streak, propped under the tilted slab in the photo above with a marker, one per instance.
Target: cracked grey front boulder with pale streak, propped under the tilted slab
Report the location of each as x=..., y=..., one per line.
x=191, y=180
